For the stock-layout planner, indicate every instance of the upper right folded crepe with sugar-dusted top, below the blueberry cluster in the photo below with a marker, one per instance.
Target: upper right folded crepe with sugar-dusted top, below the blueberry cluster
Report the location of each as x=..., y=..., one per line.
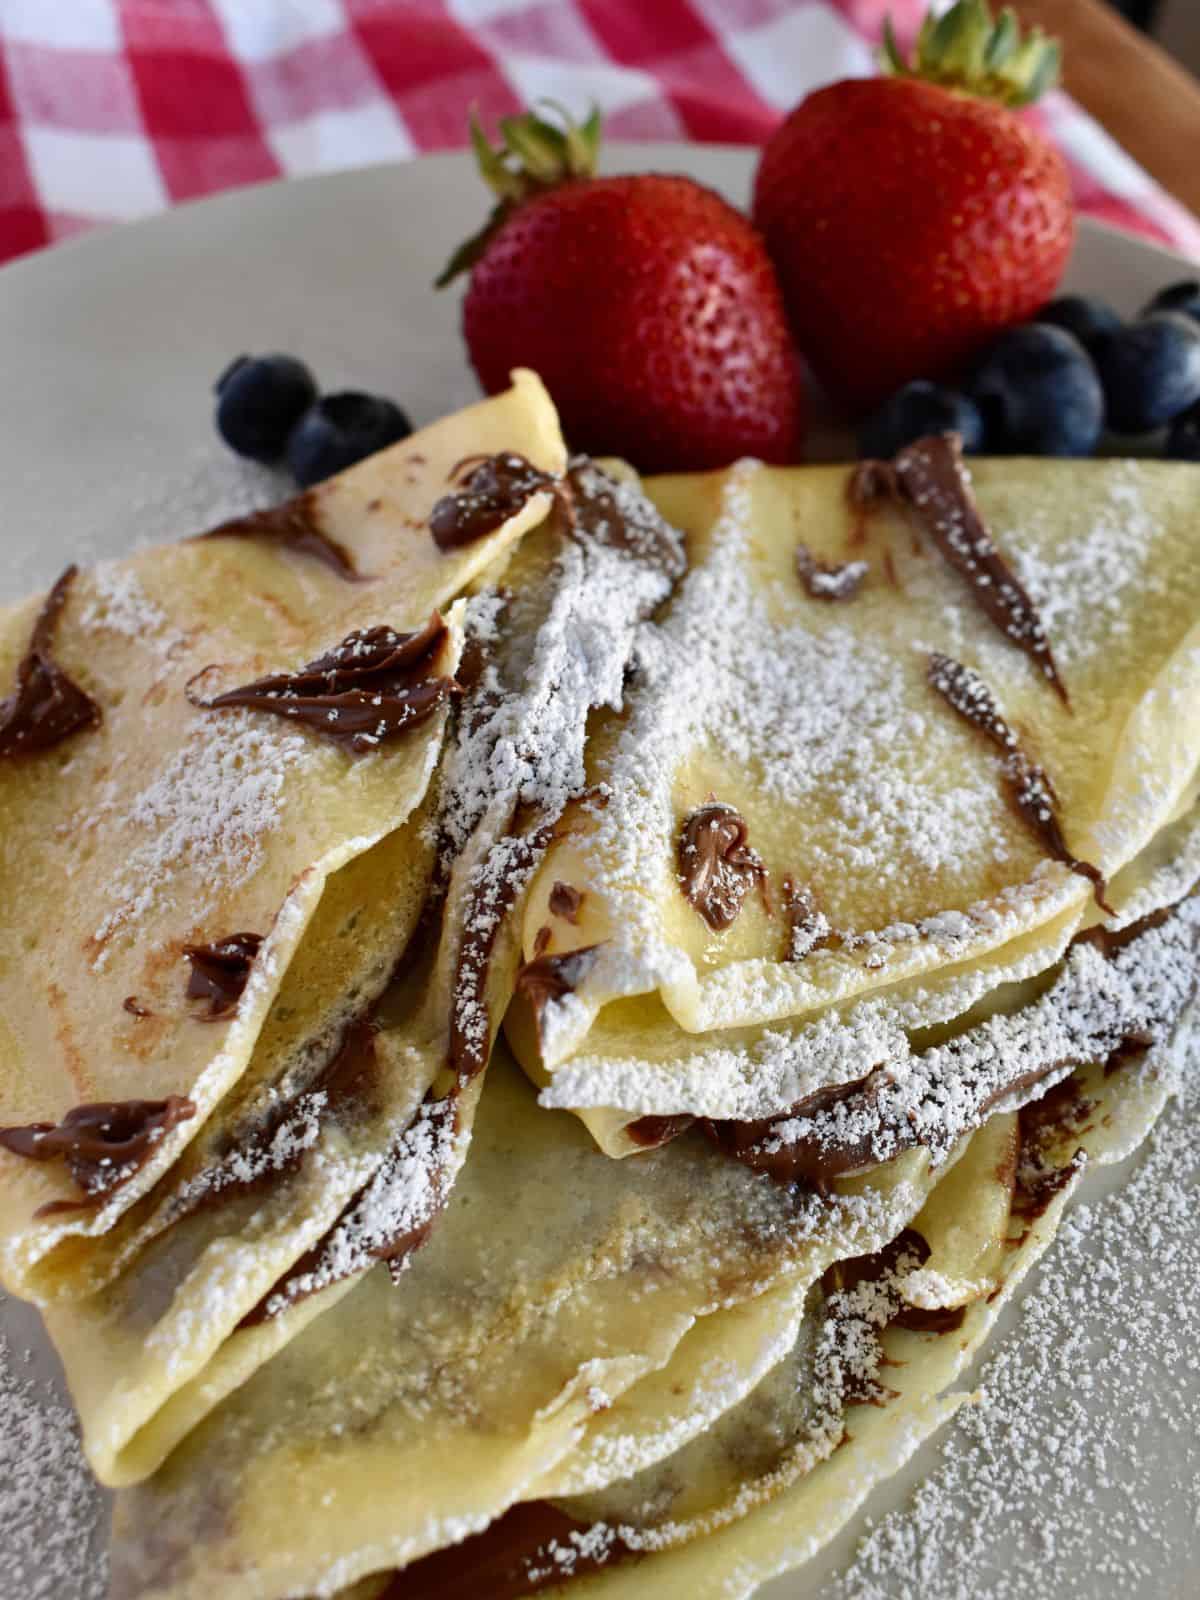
x=844, y=777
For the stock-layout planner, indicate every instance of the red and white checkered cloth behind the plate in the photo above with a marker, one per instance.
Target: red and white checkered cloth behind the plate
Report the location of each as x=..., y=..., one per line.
x=111, y=110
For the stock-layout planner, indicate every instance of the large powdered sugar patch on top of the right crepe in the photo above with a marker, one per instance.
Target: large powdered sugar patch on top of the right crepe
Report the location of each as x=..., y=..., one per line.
x=812, y=716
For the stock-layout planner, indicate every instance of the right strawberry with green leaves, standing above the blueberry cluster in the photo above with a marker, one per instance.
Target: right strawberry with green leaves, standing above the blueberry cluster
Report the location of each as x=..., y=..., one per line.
x=914, y=217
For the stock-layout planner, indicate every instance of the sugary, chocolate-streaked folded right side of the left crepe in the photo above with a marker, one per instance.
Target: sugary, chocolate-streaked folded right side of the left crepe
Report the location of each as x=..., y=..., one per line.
x=348, y=1127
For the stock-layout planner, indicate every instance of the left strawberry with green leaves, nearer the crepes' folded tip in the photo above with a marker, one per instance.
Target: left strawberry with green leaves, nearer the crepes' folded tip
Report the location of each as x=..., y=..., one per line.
x=649, y=306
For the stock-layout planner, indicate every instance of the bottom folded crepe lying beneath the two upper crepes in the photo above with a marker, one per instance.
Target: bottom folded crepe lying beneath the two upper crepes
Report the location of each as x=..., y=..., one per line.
x=506, y=1366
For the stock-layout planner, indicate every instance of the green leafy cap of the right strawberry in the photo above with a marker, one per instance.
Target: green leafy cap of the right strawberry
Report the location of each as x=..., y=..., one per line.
x=972, y=50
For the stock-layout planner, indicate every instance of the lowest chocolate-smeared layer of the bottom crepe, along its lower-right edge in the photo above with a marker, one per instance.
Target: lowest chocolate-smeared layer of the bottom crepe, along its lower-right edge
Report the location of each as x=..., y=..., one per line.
x=785, y=1471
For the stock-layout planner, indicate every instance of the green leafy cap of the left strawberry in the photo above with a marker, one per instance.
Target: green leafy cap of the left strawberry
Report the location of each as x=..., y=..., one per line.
x=534, y=158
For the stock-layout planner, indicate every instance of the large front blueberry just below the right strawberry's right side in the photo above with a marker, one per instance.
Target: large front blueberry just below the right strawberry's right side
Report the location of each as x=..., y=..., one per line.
x=1039, y=394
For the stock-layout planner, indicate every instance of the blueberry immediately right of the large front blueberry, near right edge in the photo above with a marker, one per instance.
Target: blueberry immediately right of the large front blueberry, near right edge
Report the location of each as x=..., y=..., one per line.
x=1151, y=372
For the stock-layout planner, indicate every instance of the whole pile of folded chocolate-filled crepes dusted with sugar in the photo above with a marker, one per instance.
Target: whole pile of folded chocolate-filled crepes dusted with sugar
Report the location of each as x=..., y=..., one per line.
x=822, y=842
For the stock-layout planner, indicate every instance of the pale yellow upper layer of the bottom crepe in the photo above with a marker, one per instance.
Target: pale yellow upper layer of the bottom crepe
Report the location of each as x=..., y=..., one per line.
x=551, y=1284
